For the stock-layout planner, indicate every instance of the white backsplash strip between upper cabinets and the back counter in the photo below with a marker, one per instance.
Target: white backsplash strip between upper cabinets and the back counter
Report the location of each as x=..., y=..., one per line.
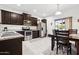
x=15, y=27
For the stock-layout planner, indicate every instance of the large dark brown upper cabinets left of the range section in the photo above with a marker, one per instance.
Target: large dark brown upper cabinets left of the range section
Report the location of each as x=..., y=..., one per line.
x=11, y=18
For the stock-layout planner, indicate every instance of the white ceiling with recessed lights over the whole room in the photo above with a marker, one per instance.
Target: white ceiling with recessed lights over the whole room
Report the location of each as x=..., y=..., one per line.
x=39, y=10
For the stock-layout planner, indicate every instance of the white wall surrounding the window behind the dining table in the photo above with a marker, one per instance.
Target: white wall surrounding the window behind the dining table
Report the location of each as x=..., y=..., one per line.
x=74, y=12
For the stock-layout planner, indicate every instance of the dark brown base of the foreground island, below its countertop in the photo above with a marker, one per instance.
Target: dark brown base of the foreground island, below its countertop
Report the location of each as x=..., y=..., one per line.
x=11, y=46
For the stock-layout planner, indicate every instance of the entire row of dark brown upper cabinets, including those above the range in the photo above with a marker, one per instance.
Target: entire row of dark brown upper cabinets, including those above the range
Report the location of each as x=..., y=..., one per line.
x=17, y=19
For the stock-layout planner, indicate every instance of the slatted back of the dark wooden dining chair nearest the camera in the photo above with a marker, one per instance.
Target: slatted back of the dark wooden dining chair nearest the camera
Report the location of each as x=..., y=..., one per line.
x=62, y=35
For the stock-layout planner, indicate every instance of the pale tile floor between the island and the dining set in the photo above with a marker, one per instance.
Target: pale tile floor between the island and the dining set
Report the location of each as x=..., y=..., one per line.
x=42, y=46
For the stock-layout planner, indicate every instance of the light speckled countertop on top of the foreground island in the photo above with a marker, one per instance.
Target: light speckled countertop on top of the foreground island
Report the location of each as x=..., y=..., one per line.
x=8, y=36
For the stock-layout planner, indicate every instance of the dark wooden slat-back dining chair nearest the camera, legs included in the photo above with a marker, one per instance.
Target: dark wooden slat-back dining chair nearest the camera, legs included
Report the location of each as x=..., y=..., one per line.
x=62, y=38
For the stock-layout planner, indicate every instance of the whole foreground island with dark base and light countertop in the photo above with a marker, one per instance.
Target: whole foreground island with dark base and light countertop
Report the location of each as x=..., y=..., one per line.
x=11, y=43
